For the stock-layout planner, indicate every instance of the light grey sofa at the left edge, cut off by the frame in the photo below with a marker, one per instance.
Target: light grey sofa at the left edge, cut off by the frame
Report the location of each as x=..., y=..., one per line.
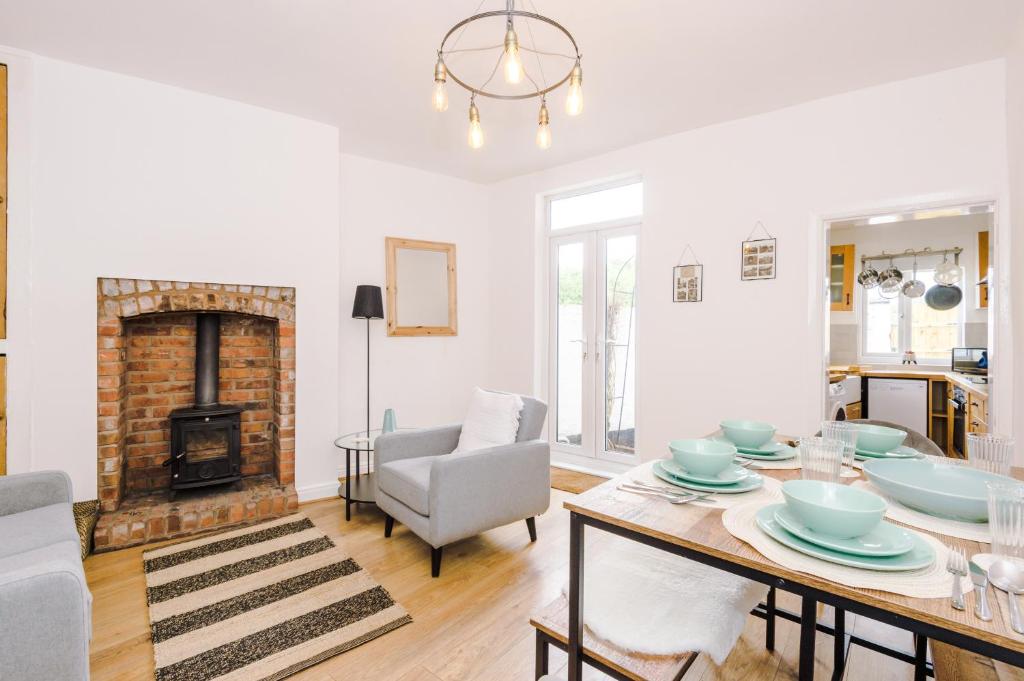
x=46, y=606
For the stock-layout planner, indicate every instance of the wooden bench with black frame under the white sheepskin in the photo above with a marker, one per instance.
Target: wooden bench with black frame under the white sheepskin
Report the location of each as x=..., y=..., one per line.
x=552, y=626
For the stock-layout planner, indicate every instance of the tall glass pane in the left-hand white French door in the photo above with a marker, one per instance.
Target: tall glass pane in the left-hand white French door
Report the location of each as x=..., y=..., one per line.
x=571, y=335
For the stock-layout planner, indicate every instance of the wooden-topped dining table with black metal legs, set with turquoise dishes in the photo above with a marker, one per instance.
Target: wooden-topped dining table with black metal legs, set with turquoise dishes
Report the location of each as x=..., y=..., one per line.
x=696, y=531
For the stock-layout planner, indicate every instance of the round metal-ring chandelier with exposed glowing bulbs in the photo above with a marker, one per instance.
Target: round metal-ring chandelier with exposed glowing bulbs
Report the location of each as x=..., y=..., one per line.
x=510, y=62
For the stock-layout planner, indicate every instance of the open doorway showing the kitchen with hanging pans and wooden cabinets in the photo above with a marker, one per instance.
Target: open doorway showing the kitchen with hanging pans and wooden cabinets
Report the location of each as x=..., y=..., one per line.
x=910, y=312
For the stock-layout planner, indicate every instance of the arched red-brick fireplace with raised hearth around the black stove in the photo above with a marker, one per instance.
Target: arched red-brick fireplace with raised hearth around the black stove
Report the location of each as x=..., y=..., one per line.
x=147, y=362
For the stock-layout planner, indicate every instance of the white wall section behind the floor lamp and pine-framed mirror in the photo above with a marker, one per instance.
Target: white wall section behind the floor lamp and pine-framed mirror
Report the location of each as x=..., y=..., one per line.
x=428, y=381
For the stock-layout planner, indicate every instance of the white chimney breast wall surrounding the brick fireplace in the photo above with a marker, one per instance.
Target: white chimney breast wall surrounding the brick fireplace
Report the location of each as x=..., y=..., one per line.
x=133, y=179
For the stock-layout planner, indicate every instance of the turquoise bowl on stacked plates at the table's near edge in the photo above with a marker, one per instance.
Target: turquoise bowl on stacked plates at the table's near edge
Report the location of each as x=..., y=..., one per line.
x=833, y=509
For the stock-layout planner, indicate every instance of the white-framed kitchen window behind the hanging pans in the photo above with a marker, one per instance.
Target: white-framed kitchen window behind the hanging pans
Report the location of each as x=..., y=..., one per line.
x=893, y=326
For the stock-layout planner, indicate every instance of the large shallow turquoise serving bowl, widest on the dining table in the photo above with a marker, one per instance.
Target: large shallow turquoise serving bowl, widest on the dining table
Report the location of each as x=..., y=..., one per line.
x=936, y=489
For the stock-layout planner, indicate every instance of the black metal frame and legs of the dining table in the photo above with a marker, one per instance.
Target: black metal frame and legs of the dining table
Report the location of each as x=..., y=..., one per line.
x=807, y=619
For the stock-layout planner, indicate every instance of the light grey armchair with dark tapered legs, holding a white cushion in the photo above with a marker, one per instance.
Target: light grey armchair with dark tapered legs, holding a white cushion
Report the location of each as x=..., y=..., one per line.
x=444, y=497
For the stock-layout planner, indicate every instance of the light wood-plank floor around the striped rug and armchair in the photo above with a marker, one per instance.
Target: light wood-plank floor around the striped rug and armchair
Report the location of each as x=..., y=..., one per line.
x=470, y=625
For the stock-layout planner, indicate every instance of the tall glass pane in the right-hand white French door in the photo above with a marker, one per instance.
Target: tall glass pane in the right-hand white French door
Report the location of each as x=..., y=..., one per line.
x=620, y=353
